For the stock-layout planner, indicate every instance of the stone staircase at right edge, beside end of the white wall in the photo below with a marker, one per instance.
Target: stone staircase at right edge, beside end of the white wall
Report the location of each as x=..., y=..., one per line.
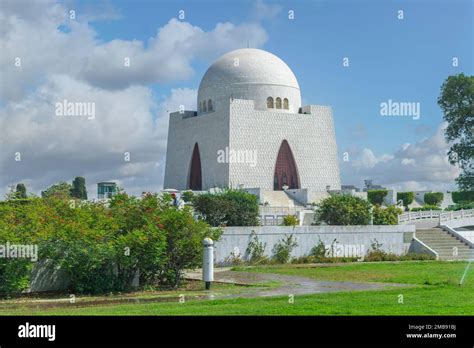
x=445, y=244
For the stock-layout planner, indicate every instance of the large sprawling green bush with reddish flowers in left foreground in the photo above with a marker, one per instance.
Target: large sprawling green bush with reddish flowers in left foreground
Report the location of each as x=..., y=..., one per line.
x=100, y=246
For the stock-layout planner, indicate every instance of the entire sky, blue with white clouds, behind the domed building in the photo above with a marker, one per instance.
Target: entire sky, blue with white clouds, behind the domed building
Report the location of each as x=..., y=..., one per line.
x=404, y=60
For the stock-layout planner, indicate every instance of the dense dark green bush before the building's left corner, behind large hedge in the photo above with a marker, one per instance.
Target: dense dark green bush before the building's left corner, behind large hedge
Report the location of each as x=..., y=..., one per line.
x=228, y=208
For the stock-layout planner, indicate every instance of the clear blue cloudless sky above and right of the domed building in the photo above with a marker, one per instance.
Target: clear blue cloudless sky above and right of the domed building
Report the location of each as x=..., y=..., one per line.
x=403, y=60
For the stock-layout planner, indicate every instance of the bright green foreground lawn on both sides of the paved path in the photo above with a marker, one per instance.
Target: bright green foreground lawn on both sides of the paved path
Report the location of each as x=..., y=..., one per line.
x=435, y=291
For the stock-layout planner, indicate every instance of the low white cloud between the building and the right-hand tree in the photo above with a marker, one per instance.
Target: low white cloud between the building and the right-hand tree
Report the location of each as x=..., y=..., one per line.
x=420, y=166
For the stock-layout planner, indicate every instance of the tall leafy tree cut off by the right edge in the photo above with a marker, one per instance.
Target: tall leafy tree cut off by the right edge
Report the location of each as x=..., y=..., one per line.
x=457, y=102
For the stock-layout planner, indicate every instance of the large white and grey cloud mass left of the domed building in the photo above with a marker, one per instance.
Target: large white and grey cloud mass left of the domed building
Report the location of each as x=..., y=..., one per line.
x=75, y=65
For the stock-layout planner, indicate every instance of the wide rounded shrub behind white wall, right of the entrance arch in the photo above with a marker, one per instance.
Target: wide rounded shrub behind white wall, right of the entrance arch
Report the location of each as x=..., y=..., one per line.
x=343, y=210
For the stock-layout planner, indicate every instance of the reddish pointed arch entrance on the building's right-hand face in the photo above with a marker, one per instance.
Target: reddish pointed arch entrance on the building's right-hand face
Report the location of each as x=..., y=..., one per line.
x=286, y=172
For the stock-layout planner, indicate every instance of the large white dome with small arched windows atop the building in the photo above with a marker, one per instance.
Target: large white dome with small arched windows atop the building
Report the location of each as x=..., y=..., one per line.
x=253, y=74
